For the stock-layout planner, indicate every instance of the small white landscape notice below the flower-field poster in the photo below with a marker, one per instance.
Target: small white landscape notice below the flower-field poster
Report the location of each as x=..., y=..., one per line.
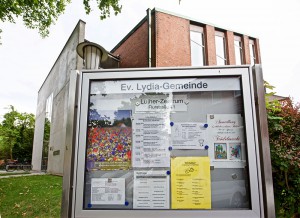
x=108, y=191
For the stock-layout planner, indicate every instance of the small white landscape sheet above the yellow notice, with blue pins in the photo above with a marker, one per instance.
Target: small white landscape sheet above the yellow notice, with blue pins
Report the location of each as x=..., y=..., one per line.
x=189, y=135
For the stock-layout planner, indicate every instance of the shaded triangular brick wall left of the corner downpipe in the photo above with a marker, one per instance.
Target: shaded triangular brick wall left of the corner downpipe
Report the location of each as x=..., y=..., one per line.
x=134, y=51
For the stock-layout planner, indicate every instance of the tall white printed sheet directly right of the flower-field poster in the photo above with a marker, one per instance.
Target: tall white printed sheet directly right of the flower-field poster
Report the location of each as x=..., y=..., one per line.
x=150, y=140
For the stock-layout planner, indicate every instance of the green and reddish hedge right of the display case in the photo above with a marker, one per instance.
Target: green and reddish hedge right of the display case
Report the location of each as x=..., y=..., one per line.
x=284, y=132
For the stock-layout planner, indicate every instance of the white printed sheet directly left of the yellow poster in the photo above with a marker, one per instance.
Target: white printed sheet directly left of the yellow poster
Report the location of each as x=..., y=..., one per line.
x=151, y=190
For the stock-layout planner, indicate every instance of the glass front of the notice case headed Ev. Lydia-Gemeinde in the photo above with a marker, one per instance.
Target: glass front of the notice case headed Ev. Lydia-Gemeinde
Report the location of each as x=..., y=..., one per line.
x=144, y=136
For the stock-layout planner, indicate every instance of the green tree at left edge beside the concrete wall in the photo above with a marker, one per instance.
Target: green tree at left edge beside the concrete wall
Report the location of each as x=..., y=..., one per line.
x=16, y=135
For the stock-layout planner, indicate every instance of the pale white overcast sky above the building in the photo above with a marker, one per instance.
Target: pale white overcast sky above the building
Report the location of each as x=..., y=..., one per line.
x=26, y=58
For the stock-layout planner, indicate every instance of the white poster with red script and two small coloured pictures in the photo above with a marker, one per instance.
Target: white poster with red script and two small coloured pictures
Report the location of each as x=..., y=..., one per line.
x=226, y=141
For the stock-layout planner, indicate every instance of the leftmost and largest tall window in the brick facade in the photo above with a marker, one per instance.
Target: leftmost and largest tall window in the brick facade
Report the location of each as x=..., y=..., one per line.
x=197, y=46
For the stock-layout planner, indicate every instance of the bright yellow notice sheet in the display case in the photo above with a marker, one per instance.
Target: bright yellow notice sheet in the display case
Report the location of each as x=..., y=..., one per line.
x=190, y=183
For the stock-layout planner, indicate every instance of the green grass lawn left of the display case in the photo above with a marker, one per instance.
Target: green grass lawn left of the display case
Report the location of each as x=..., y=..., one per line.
x=30, y=196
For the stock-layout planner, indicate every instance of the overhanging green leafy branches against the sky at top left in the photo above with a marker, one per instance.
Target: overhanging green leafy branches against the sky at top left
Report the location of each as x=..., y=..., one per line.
x=40, y=14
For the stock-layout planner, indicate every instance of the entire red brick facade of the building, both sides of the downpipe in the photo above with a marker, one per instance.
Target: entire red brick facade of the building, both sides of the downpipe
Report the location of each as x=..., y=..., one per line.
x=170, y=43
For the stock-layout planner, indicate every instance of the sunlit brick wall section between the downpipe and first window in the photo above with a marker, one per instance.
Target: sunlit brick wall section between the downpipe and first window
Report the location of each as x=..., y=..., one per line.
x=172, y=41
